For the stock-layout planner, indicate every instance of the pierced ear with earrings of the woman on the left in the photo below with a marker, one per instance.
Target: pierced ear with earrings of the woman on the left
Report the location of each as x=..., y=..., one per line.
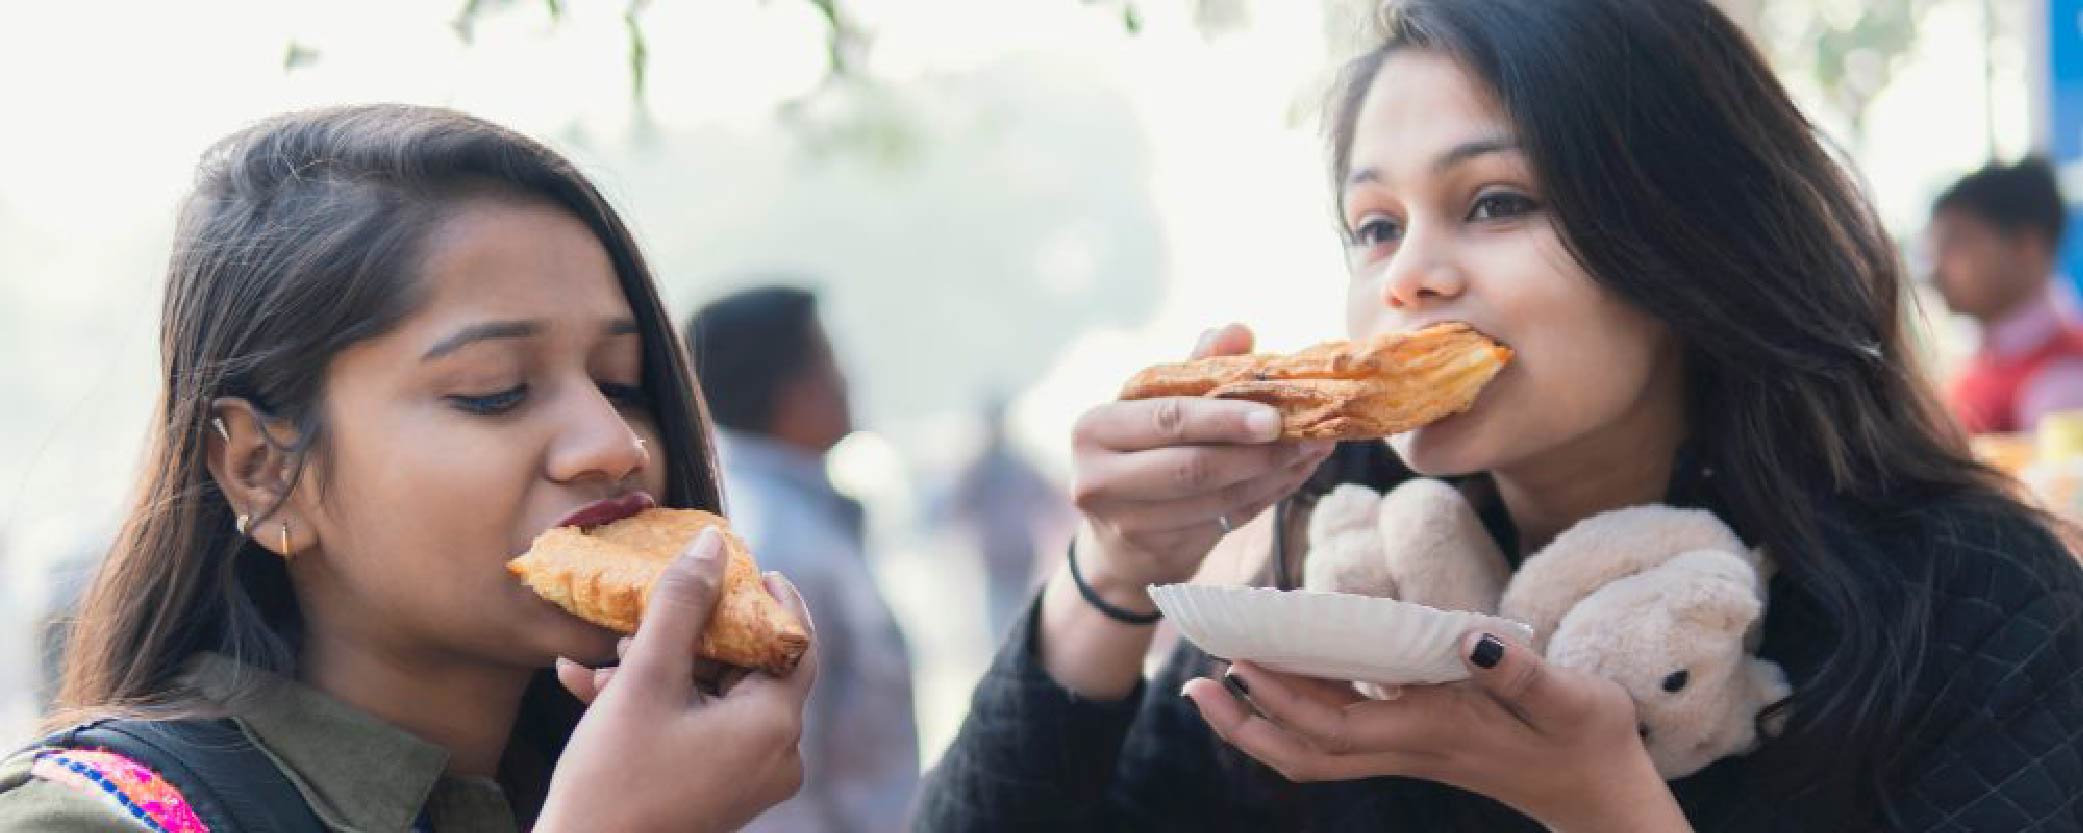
x=255, y=468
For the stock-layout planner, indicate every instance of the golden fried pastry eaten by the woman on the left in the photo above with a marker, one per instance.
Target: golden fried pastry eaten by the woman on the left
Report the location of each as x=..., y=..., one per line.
x=605, y=576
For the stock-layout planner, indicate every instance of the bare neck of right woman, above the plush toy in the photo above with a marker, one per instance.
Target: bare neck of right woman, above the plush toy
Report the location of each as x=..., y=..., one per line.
x=1624, y=465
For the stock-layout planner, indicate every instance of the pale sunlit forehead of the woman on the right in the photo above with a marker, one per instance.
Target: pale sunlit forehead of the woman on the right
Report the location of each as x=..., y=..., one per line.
x=1417, y=107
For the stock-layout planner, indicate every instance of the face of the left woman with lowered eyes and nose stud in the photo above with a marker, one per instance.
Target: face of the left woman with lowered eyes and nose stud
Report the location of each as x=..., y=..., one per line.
x=505, y=403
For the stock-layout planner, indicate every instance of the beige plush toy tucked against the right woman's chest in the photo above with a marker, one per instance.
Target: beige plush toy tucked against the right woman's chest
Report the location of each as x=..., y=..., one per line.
x=1661, y=601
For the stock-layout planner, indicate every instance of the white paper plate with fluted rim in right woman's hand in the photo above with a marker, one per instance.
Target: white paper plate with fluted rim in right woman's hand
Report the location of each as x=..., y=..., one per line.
x=1330, y=636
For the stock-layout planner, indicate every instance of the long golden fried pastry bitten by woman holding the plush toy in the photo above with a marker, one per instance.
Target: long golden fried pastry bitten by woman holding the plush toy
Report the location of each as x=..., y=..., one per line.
x=1345, y=390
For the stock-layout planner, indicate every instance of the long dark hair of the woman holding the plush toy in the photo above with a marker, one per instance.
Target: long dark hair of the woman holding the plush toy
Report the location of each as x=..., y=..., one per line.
x=1686, y=182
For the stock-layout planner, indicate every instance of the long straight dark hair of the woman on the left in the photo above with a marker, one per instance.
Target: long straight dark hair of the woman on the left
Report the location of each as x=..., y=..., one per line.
x=303, y=236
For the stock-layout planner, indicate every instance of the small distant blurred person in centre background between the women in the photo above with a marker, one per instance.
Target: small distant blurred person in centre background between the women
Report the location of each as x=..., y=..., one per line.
x=1009, y=511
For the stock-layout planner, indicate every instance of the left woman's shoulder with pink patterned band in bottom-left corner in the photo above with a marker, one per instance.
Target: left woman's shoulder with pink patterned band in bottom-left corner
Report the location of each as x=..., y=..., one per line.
x=89, y=792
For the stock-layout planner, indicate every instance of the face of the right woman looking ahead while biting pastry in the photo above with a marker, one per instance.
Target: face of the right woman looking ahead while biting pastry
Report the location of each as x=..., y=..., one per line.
x=1447, y=224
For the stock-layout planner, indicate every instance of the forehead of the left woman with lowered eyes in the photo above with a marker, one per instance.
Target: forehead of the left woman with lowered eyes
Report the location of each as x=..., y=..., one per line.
x=507, y=259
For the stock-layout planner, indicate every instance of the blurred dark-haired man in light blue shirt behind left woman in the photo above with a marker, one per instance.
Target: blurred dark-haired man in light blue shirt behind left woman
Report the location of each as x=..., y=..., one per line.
x=780, y=403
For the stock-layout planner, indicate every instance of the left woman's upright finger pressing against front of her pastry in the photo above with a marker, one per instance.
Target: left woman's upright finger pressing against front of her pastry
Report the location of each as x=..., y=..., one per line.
x=676, y=613
